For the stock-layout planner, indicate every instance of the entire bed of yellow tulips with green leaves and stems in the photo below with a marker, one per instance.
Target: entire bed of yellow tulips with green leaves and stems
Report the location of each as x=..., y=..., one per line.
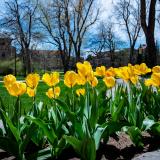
x=81, y=111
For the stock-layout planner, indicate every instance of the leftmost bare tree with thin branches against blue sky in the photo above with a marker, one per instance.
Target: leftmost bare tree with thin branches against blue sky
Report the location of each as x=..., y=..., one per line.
x=20, y=21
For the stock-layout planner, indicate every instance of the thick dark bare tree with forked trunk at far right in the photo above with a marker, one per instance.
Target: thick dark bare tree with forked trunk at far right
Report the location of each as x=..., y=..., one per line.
x=148, y=26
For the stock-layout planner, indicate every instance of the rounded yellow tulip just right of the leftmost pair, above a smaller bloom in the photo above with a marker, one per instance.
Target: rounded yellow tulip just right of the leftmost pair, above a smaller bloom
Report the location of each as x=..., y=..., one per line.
x=32, y=80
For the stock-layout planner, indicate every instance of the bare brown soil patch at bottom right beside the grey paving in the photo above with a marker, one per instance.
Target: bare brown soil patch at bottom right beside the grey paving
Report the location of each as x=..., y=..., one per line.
x=120, y=147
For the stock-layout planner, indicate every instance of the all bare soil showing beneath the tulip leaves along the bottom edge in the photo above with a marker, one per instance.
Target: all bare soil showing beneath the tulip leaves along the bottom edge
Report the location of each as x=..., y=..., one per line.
x=119, y=147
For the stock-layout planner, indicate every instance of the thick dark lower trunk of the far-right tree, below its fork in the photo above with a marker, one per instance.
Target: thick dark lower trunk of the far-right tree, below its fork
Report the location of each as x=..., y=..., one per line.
x=151, y=57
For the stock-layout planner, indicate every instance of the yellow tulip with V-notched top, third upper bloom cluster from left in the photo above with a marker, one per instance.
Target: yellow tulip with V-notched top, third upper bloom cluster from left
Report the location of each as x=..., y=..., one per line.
x=51, y=79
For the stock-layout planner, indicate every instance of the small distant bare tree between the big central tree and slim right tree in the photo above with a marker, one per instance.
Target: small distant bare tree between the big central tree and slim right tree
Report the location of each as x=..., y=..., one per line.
x=105, y=39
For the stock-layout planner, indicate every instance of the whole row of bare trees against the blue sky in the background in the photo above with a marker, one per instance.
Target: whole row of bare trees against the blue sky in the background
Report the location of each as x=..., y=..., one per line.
x=68, y=26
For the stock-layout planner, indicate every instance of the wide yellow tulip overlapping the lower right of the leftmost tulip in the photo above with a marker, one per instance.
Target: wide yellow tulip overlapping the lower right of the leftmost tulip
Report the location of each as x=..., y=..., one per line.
x=17, y=89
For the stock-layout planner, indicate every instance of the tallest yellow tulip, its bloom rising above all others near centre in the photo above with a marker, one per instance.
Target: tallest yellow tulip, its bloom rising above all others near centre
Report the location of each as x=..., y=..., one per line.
x=84, y=69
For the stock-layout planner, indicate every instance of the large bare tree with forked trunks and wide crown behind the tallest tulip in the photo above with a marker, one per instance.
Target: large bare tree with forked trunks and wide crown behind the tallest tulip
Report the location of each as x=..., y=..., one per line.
x=66, y=22
